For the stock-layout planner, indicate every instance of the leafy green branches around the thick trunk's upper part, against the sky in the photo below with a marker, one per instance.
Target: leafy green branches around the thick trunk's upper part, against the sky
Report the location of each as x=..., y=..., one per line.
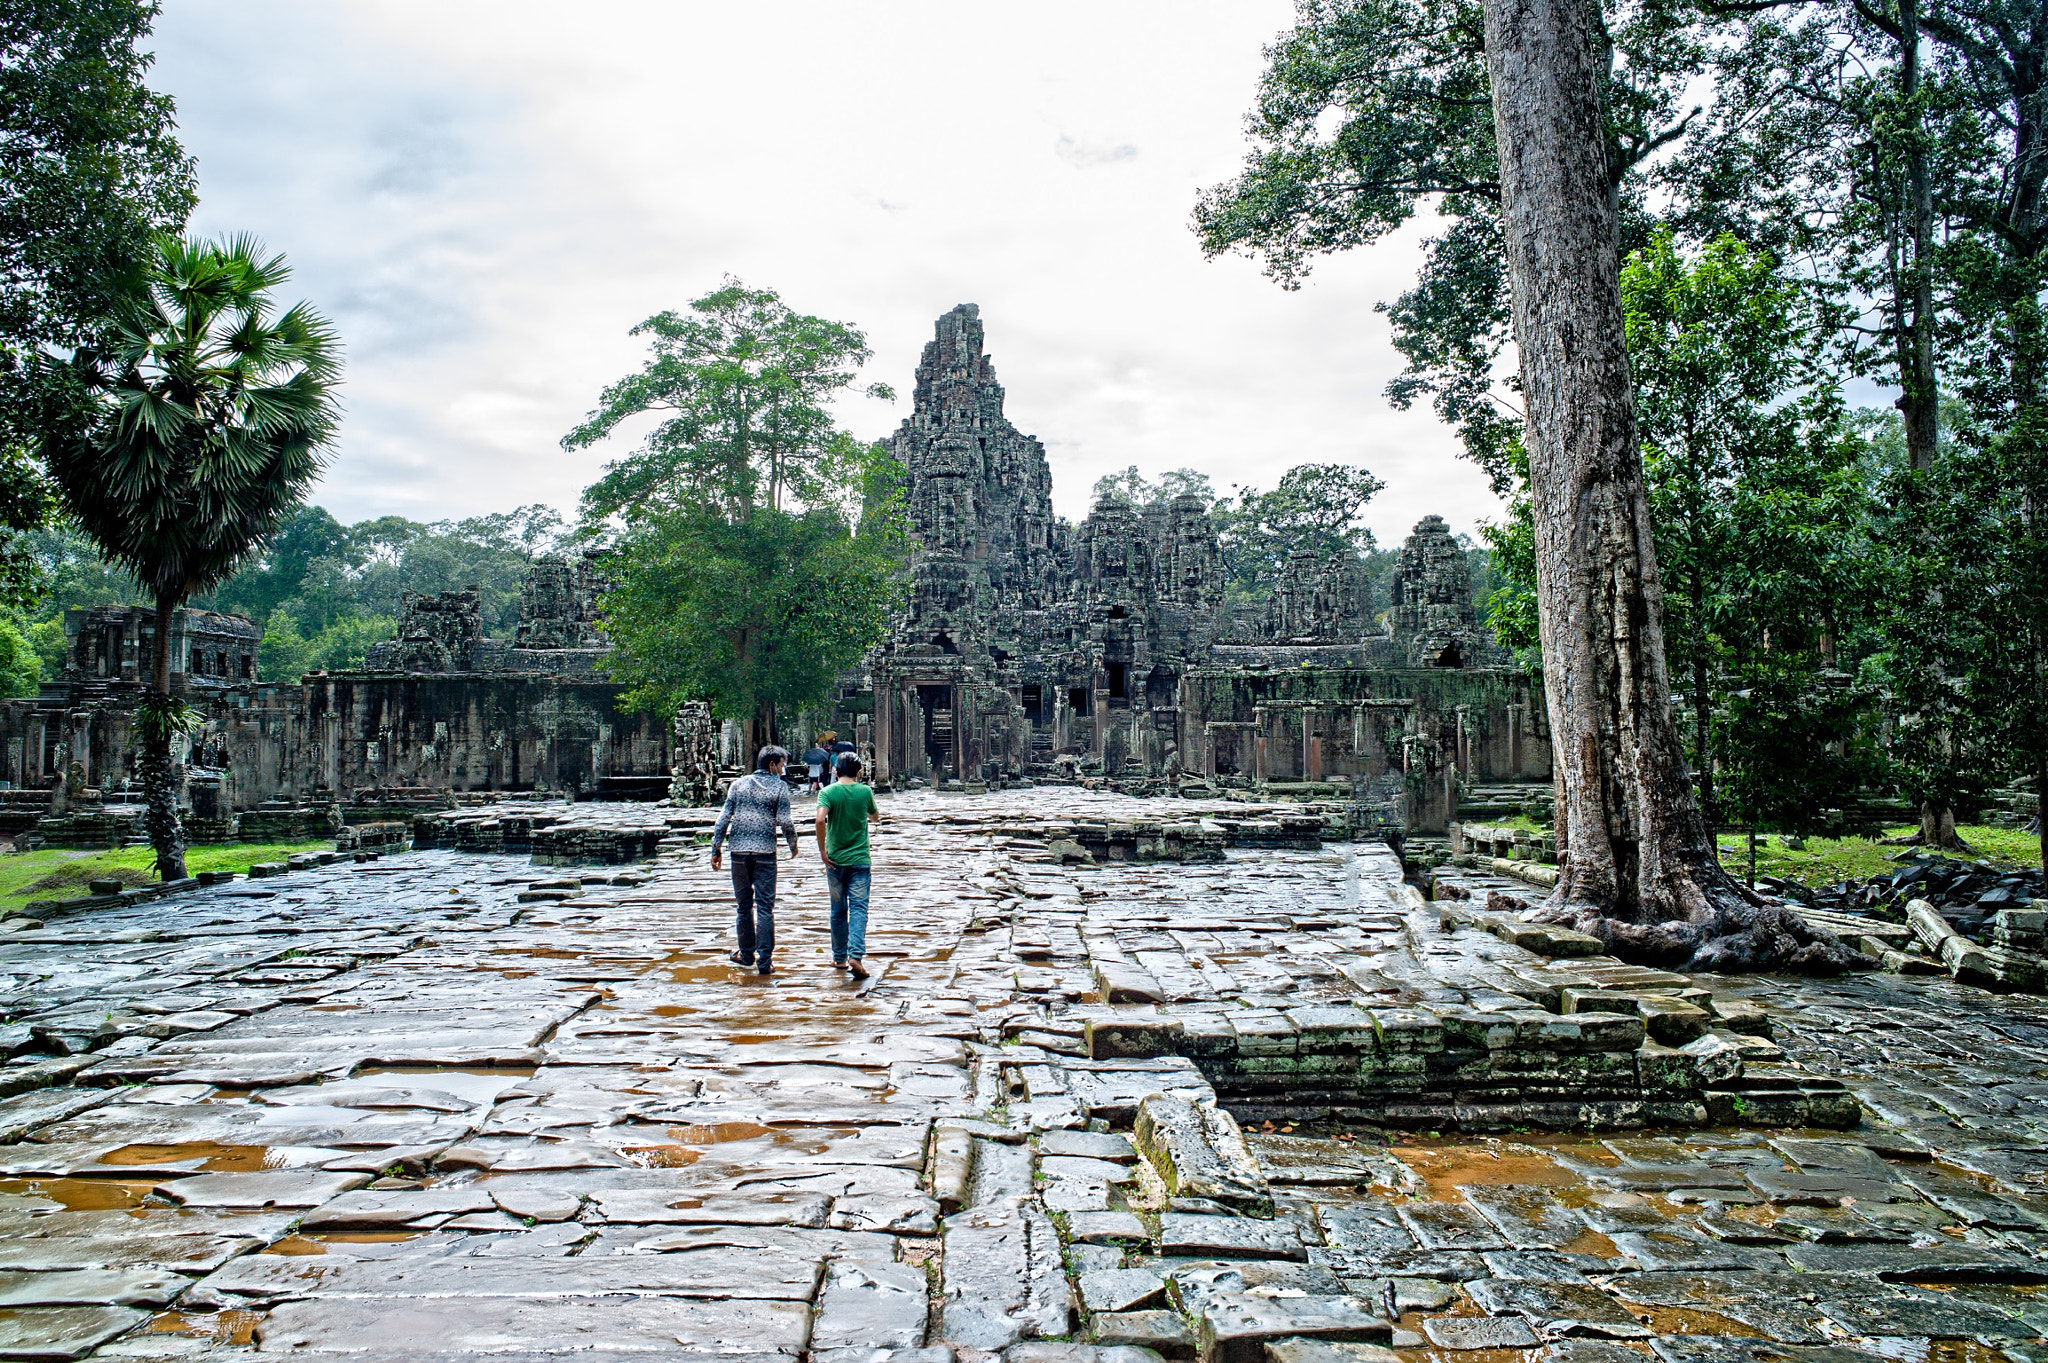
x=1373, y=109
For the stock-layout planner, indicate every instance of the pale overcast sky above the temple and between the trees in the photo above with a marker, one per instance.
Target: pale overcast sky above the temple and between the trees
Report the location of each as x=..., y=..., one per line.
x=488, y=197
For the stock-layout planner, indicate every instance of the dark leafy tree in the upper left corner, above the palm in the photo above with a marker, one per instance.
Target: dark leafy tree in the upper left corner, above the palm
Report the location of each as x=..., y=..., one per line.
x=89, y=173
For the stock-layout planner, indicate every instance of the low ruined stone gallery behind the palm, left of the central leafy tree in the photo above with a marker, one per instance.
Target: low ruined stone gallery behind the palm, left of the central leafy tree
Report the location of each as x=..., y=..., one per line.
x=439, y=709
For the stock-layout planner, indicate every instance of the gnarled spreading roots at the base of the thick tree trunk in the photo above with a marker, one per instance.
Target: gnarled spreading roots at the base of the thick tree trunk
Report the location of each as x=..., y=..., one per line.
x=1738, y=938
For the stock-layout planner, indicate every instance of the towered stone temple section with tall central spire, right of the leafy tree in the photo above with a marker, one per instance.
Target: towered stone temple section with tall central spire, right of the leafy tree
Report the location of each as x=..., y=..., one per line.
x=1111, y=646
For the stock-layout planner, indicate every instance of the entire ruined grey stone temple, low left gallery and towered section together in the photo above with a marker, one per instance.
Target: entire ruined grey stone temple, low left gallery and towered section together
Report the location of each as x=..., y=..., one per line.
x=1029, y=650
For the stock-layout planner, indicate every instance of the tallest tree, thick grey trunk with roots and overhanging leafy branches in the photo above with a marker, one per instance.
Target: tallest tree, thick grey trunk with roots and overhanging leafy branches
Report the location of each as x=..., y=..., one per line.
x=1574, y=99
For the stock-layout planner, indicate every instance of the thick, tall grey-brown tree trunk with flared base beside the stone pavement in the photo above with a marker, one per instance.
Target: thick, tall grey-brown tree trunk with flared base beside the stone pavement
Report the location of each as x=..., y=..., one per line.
x=1641, y=869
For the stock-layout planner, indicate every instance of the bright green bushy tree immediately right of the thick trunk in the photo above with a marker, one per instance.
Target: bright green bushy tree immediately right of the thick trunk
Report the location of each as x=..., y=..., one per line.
x=1756, y=490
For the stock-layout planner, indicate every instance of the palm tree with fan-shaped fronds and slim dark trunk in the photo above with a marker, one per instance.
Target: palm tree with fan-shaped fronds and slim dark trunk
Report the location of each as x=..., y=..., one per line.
x=198, y=427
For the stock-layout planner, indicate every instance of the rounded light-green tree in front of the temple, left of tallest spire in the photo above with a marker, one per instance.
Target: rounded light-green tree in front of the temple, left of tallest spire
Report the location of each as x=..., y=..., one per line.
x=755, y=545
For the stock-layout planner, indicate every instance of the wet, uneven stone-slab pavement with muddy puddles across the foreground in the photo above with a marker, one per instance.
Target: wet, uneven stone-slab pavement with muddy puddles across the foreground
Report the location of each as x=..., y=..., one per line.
x=450, y=1106
